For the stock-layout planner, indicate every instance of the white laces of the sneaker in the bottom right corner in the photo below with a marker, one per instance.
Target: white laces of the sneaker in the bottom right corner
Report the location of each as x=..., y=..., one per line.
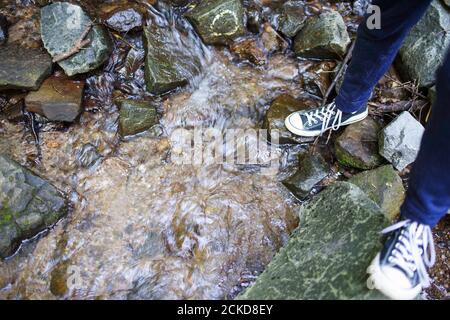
x=407, y=253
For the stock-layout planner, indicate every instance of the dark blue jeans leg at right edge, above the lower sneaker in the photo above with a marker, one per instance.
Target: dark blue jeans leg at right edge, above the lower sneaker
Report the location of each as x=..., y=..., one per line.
x=428, y=197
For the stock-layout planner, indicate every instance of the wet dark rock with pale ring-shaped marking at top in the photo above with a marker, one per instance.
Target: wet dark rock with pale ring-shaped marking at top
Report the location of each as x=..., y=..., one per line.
x=218, y=21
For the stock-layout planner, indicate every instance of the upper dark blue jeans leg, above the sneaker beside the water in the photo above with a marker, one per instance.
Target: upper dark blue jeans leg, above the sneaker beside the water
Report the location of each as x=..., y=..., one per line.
x=376, y=49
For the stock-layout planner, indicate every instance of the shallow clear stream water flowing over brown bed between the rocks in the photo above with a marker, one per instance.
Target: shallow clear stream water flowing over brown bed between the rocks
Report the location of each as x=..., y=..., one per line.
x=142, y=226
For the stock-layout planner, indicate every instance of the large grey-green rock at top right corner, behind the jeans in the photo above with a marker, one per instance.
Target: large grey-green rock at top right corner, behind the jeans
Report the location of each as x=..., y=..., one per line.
x=425, y=48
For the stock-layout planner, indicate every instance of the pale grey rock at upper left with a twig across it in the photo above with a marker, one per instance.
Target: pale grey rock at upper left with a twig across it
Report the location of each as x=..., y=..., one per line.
x=60, y=38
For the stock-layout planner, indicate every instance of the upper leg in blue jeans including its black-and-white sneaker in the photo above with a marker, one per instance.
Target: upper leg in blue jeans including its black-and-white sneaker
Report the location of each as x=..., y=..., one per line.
x=372, y=56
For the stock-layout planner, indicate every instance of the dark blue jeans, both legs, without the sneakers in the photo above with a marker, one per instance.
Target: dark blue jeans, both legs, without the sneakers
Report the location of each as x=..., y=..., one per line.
x=428, y=197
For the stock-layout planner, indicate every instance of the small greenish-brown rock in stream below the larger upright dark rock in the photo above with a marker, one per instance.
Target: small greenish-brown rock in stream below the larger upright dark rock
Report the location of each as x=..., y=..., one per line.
x=136, y=116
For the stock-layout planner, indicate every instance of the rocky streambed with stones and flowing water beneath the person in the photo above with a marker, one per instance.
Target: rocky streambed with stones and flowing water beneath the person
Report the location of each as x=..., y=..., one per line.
x=94, y=203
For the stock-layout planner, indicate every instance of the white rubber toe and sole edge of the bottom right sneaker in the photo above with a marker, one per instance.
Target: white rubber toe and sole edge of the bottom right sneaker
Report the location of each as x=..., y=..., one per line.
x=378, y=280
